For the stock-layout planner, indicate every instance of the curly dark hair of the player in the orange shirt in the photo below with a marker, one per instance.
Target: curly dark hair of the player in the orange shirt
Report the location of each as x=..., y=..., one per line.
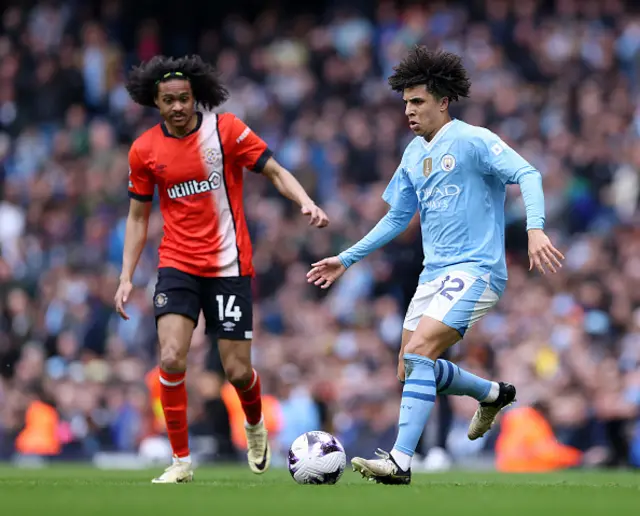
x=143, y=80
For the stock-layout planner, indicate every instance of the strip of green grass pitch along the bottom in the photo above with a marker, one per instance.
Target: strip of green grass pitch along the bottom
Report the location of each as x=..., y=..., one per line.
x=230, y=491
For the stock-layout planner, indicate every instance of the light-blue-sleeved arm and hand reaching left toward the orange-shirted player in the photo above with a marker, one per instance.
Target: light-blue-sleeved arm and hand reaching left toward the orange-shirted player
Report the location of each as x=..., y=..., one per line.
x=325, y=272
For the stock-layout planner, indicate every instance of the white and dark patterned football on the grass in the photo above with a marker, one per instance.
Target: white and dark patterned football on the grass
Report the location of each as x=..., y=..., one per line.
x=316, y=458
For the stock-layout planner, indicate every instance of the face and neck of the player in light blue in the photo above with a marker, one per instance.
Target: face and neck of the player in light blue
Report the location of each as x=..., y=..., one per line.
x=426, y=113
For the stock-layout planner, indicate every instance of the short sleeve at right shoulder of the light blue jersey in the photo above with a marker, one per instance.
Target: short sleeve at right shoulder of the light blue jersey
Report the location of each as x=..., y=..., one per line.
x=498, y=159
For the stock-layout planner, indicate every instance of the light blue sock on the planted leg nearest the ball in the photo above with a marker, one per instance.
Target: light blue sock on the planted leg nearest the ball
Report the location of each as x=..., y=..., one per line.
x=418, y=397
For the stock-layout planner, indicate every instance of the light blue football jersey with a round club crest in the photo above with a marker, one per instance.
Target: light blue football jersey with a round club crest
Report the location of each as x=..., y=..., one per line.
x=458, y=183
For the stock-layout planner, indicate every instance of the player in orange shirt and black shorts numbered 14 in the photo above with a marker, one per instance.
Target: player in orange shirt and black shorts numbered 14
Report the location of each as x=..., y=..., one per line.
x=195, y=158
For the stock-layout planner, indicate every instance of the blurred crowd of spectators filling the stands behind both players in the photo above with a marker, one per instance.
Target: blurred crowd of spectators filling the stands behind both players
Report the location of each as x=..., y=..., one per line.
x=558, y=80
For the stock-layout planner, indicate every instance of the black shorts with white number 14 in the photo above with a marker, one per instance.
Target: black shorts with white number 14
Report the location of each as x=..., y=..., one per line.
x=225, y=302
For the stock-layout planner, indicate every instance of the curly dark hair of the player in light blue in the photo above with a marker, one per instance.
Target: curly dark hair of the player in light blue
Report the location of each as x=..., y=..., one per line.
x=441, y=72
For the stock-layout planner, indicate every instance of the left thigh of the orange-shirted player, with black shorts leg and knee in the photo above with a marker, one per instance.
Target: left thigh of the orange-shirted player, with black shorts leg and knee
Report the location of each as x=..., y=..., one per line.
x=176, y=304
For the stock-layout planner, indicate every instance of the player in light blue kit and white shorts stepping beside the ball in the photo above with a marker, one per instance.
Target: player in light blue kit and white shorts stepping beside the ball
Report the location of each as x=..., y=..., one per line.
x=455, y=175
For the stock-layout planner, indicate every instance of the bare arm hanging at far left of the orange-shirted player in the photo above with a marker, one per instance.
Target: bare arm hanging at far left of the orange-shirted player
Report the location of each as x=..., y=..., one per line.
x=134, y=240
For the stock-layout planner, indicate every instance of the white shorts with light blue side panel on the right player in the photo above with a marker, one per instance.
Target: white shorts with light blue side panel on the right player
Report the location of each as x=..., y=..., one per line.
x=457, y=299
